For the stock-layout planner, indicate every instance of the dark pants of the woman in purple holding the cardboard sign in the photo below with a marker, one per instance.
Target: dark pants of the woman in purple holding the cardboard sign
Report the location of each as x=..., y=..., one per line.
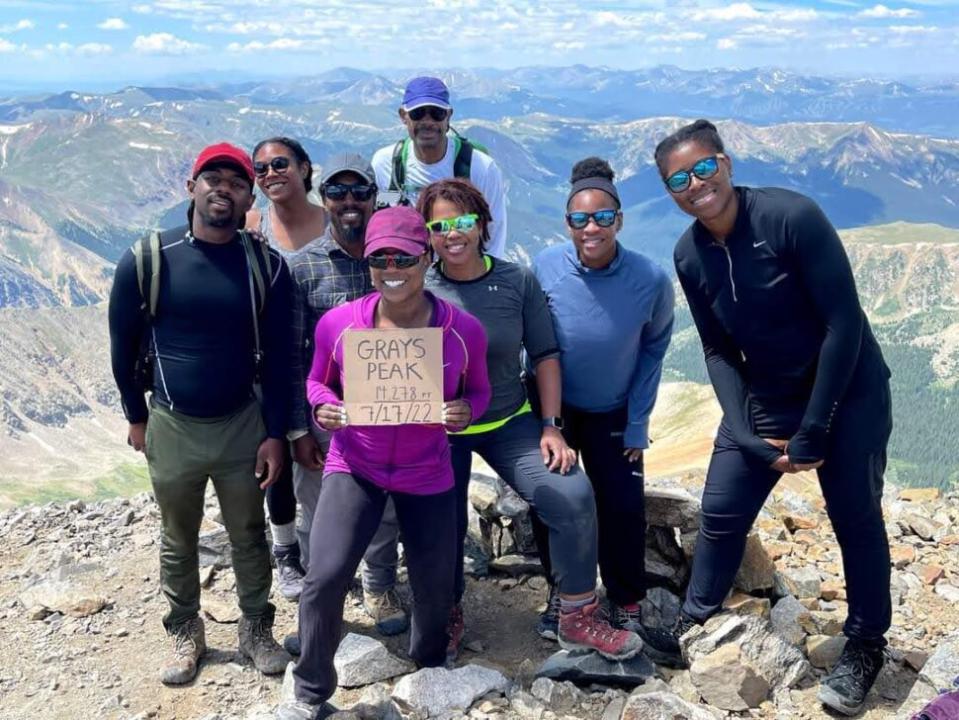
x=347, y=516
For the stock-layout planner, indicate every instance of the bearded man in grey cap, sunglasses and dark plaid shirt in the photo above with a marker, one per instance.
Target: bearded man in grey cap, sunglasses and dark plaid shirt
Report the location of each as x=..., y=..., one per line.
x=327, y=273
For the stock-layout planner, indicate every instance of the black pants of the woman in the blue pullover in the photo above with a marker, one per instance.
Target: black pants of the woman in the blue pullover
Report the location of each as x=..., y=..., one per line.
x=619, y=487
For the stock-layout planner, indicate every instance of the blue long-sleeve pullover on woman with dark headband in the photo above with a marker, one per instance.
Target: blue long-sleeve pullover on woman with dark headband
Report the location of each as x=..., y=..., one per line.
x=613, y=327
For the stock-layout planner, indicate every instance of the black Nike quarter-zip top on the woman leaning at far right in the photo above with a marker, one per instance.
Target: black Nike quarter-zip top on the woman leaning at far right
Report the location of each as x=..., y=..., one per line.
x=784, y=335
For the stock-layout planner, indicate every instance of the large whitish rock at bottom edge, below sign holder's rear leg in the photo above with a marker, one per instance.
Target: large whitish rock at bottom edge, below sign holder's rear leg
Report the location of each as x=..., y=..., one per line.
x=435, y=691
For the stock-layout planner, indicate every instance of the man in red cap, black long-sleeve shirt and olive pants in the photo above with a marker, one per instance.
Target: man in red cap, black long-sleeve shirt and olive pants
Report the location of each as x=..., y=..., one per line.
x=206, y=334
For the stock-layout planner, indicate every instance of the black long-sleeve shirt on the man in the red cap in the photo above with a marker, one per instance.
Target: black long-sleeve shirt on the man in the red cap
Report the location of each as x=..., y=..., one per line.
x=203, y=333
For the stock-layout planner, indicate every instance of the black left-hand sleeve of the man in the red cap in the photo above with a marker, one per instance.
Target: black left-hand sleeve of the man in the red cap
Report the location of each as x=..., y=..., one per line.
x=127, y=328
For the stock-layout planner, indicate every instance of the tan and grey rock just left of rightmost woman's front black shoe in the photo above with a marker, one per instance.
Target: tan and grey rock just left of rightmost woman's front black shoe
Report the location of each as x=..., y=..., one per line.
x=727, y=680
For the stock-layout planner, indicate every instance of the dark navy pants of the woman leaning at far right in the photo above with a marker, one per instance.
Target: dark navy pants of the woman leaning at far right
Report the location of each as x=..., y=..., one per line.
x=851, y=479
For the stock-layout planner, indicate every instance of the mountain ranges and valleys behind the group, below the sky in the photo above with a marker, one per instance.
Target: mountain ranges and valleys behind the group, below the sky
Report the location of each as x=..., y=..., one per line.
x=83, y=175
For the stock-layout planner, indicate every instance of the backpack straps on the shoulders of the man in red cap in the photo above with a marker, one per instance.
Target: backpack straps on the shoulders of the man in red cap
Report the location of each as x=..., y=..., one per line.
x=148, y=260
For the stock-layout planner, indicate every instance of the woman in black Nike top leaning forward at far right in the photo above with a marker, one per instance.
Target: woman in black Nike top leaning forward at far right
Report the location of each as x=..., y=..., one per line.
x=801, y=382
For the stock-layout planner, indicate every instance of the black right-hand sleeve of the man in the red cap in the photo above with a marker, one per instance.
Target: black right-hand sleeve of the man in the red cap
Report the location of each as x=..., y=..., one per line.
x=275, y=329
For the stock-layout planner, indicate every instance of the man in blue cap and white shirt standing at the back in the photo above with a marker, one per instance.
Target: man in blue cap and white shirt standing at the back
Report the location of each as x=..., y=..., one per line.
x=429, y=154
